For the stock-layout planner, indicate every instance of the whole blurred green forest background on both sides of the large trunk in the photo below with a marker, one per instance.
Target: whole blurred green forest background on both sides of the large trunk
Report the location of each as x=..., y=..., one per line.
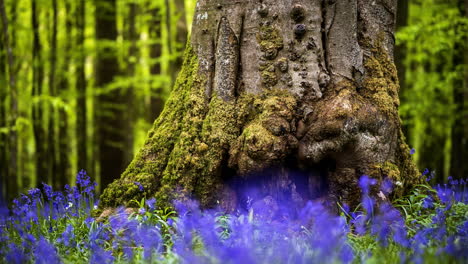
x=81, y=82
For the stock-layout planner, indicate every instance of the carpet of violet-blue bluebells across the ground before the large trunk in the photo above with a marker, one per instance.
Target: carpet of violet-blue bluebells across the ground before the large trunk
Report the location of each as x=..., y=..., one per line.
x=47, y=226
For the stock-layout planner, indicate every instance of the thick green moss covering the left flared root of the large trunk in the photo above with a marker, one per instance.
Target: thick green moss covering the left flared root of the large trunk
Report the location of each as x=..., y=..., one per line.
x=183, y=108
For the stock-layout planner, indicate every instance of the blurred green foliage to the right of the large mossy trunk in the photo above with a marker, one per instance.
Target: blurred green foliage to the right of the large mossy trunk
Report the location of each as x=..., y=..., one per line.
x=435, y=41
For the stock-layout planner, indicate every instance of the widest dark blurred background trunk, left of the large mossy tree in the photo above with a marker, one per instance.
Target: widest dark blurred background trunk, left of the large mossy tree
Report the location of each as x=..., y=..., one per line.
x=110, y=105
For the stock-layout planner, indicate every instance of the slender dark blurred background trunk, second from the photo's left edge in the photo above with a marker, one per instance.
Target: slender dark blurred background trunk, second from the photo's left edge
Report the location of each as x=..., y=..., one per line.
x=42, y=170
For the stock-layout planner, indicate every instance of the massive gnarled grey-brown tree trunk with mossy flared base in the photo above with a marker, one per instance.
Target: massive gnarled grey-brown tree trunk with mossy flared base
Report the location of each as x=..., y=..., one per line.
x=297, y=97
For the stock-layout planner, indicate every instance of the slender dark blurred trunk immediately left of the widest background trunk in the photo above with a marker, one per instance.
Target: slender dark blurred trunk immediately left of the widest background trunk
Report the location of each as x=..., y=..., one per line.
x=81, y=107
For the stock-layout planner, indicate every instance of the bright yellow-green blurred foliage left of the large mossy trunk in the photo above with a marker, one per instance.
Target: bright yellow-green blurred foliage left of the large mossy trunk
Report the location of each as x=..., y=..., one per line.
x=146, y=71
